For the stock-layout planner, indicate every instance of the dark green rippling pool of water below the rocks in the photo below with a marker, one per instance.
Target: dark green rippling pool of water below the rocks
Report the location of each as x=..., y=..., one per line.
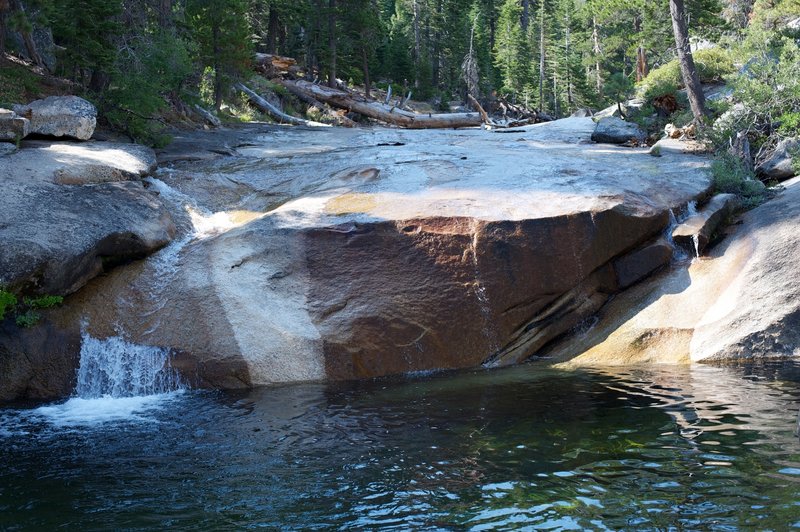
x=696, y=448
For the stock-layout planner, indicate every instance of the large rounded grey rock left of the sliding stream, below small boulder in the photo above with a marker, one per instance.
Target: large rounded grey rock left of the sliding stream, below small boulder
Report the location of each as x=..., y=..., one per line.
x=54, y=238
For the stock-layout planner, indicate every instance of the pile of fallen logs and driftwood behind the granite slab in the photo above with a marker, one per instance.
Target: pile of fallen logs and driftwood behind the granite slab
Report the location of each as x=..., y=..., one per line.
x=285, y=72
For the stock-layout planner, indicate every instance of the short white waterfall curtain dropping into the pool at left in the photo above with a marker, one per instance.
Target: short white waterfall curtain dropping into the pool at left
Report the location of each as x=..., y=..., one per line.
x=115, y=367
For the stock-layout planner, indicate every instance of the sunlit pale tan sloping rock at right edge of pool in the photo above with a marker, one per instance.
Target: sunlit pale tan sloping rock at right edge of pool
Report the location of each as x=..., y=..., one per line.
x=743, y=301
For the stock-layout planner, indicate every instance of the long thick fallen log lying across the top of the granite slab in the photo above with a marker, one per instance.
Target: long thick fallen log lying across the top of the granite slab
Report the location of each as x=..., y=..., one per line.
x=378, y=111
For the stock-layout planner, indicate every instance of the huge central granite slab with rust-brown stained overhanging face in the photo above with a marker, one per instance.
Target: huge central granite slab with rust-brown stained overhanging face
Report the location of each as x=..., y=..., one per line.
x=339, y=254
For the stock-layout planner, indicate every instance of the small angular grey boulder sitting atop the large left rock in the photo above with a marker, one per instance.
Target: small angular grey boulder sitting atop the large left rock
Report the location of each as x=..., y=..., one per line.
x=60, y=116
